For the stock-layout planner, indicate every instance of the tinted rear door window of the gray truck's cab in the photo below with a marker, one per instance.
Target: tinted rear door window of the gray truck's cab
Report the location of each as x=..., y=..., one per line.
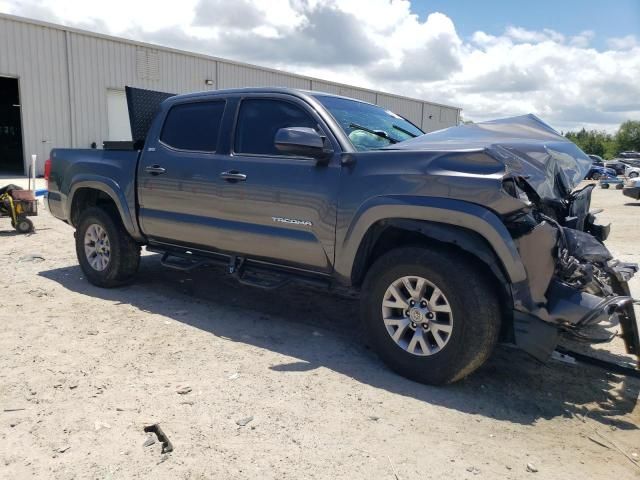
x=193, y=126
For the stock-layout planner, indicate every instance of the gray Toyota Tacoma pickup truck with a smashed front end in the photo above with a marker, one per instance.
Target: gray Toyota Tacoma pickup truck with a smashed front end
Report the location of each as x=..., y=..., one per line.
x=453, y=240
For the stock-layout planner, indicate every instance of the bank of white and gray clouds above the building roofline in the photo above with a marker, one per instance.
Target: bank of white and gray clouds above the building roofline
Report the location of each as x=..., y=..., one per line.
x=382, y=44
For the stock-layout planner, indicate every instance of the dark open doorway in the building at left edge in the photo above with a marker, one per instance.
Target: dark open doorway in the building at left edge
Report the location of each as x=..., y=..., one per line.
x=11, y=157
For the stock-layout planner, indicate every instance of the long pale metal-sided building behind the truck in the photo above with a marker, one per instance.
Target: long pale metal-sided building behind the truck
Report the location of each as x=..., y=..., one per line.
x=63, y=87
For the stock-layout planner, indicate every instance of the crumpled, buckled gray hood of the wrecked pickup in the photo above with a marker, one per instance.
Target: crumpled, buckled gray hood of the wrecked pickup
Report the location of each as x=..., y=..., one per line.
x=527, y=147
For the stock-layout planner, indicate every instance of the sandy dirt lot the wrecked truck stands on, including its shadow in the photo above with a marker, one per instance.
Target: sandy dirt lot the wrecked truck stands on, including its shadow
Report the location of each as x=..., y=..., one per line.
x=85, y=369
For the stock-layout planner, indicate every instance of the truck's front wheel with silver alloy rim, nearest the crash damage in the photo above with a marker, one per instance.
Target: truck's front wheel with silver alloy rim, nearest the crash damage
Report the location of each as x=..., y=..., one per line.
x=431, y=315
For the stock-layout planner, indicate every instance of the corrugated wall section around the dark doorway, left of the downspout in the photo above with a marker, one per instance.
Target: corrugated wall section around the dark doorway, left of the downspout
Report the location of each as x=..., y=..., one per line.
x=36, y=56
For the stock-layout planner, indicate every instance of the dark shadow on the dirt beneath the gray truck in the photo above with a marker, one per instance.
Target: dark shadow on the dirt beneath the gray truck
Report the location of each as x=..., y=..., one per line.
x=322, y=330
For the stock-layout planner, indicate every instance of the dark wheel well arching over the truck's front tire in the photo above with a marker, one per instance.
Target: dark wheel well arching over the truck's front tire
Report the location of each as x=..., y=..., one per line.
x=389, y=234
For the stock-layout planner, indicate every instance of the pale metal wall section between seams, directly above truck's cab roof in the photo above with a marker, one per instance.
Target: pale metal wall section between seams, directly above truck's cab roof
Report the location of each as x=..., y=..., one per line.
x=237, y=76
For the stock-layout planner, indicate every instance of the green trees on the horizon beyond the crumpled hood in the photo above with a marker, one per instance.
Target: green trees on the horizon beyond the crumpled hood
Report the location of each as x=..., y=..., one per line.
x=606, y=145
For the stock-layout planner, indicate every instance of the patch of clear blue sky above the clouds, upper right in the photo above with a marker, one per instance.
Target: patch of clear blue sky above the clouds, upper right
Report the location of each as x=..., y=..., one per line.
x=606, y=18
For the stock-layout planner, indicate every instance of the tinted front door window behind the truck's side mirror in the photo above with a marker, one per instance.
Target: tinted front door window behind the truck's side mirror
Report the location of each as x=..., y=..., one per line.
x=259, y=120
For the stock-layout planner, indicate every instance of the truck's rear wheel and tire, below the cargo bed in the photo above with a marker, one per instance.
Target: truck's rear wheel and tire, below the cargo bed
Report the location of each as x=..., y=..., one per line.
x=107, y=254
